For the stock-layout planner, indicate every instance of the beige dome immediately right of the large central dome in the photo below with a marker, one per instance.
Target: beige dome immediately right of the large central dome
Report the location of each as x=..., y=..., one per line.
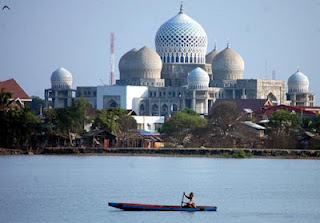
x=227, y=65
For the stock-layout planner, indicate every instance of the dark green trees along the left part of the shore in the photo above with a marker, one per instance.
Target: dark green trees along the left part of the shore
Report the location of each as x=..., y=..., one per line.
x=24, y=126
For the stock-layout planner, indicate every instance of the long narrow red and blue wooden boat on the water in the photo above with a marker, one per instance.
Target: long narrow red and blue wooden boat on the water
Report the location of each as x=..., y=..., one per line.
x=154, y=207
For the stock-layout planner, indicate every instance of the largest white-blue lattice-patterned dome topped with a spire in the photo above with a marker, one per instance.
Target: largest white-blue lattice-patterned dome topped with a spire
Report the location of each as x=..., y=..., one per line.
x=181, y=40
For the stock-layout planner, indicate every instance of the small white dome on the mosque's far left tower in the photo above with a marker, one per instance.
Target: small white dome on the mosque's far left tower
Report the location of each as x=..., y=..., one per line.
x=61, y=79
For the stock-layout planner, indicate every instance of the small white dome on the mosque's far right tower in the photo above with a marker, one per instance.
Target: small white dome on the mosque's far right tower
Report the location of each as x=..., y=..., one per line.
x=298, y=83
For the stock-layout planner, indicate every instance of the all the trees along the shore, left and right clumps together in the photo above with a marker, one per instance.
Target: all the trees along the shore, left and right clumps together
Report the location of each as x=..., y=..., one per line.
x=24, y=126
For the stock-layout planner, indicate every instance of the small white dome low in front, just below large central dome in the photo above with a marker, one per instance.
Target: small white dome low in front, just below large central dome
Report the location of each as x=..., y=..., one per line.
x=198, y=79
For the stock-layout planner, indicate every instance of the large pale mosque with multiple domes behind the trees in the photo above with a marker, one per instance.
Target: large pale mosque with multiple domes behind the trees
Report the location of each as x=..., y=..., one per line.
x=177, y=75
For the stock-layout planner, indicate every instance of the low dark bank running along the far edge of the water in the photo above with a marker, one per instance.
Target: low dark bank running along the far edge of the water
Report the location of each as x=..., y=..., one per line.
x=174, y=152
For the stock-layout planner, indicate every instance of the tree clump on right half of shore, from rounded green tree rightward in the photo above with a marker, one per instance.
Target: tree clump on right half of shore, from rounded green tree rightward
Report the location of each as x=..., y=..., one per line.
x=224, y=128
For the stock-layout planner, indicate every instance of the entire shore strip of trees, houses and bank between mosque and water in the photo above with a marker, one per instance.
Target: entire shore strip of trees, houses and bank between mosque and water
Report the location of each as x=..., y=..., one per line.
x=226, y=132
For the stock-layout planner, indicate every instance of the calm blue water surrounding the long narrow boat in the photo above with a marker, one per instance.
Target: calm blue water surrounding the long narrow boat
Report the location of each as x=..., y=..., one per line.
x=77, y=188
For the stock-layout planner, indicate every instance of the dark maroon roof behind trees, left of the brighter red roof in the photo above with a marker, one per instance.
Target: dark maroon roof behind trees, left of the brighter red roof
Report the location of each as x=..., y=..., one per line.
x=253, y=104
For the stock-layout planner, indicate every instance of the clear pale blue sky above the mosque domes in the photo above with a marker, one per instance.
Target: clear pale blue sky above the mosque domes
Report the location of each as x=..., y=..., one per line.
x=39, y=36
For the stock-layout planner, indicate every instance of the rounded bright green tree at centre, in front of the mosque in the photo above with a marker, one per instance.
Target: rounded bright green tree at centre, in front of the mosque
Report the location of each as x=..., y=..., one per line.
x=181, y=123
